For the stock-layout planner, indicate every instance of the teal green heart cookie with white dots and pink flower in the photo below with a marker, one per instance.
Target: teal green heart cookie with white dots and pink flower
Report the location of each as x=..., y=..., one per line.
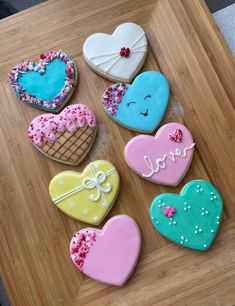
x=190, y=219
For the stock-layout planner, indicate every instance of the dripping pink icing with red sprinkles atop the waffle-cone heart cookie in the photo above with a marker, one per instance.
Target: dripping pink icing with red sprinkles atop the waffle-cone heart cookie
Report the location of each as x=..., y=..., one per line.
x=45, y=127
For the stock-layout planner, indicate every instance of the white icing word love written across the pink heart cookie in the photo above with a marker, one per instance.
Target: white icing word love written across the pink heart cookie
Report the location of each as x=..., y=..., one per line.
x=160, y=162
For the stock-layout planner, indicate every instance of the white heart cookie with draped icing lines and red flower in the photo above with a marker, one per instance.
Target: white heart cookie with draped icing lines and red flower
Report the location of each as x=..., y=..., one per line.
x=117, y=57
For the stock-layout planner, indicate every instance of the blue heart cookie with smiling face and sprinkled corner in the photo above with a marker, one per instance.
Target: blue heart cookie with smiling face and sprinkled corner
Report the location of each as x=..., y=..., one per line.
x=139, y=106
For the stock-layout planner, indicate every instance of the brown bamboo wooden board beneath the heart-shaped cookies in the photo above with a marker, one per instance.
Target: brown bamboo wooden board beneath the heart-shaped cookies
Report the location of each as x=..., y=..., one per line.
x=188, y=48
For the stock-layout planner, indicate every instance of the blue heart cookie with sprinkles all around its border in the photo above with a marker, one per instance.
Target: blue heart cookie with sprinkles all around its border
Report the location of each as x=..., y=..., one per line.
x=48, y=84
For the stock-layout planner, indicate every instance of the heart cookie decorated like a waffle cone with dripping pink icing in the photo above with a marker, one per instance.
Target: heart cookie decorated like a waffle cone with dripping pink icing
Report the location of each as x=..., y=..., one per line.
x=66, y=137
